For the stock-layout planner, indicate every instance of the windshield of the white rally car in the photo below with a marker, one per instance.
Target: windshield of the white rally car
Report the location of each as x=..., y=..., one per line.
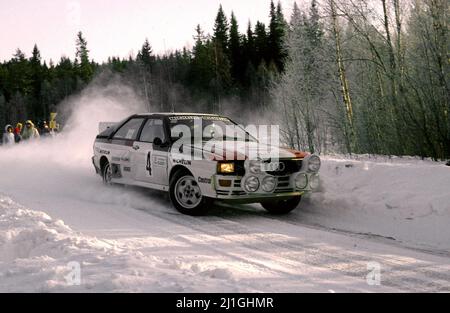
x=207, y=127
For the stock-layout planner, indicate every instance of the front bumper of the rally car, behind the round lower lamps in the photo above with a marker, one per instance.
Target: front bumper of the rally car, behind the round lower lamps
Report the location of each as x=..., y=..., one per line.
x=285, y=188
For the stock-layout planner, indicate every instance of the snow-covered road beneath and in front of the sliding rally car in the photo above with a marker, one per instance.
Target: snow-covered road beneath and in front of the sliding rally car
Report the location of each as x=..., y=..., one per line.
x=235, y=248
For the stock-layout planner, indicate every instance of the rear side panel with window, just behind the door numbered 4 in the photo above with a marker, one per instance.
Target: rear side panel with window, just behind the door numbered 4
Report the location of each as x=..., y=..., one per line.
x=121, y=149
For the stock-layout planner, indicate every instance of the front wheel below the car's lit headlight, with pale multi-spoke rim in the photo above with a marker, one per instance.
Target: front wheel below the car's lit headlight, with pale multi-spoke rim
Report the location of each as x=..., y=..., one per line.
x=187, y=201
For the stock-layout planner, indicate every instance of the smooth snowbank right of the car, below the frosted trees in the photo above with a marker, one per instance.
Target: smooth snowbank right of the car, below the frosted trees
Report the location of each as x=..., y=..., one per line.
x=405, y=199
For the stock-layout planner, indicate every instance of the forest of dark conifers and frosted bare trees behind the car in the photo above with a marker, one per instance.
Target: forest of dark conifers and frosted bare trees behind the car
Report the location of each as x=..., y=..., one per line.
x=338, y=76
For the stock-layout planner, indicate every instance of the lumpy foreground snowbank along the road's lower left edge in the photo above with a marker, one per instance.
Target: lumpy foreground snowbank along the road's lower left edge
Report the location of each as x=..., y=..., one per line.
x=39, y=254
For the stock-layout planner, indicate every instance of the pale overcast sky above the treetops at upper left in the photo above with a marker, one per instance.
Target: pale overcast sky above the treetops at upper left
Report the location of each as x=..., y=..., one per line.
x=115, y=27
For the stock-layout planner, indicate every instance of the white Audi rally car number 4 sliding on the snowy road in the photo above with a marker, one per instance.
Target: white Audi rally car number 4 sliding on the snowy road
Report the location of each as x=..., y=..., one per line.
x=192, y=157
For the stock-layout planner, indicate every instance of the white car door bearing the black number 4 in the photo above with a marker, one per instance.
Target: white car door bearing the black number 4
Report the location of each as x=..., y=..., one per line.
x=151, y=161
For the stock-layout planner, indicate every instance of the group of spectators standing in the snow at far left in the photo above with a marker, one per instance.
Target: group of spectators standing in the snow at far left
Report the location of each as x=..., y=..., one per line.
x=13, y=135
